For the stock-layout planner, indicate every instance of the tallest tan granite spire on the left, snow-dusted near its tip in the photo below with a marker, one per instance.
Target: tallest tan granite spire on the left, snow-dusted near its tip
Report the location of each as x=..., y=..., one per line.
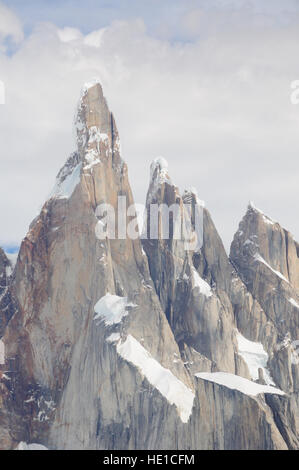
x=62, y=272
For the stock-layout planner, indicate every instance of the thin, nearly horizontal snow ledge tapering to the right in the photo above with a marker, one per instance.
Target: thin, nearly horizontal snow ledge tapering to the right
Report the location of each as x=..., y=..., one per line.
x=234, y=382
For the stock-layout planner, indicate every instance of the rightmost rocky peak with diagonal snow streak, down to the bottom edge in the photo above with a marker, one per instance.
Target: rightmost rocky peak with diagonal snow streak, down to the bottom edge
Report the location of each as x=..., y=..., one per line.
x=266, y=257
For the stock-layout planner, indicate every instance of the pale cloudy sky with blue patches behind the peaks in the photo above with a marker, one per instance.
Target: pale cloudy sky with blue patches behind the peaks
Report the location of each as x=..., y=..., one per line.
x=205, y=84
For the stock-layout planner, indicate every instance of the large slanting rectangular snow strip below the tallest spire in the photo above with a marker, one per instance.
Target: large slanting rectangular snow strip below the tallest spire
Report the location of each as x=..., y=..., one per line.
x=175, y=391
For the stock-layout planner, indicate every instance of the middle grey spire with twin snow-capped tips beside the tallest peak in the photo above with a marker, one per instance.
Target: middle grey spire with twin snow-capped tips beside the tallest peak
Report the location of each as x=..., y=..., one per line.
x=185, y=279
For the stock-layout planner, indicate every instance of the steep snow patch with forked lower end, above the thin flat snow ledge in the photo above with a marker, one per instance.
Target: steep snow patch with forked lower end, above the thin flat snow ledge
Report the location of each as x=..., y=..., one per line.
x=255, y=357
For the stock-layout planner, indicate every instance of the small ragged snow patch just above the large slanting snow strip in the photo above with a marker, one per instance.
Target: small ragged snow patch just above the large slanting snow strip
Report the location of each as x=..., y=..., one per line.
x=112, y=308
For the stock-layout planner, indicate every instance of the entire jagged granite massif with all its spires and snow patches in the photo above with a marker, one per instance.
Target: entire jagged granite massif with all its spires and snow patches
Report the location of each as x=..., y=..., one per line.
x=145, y=342
